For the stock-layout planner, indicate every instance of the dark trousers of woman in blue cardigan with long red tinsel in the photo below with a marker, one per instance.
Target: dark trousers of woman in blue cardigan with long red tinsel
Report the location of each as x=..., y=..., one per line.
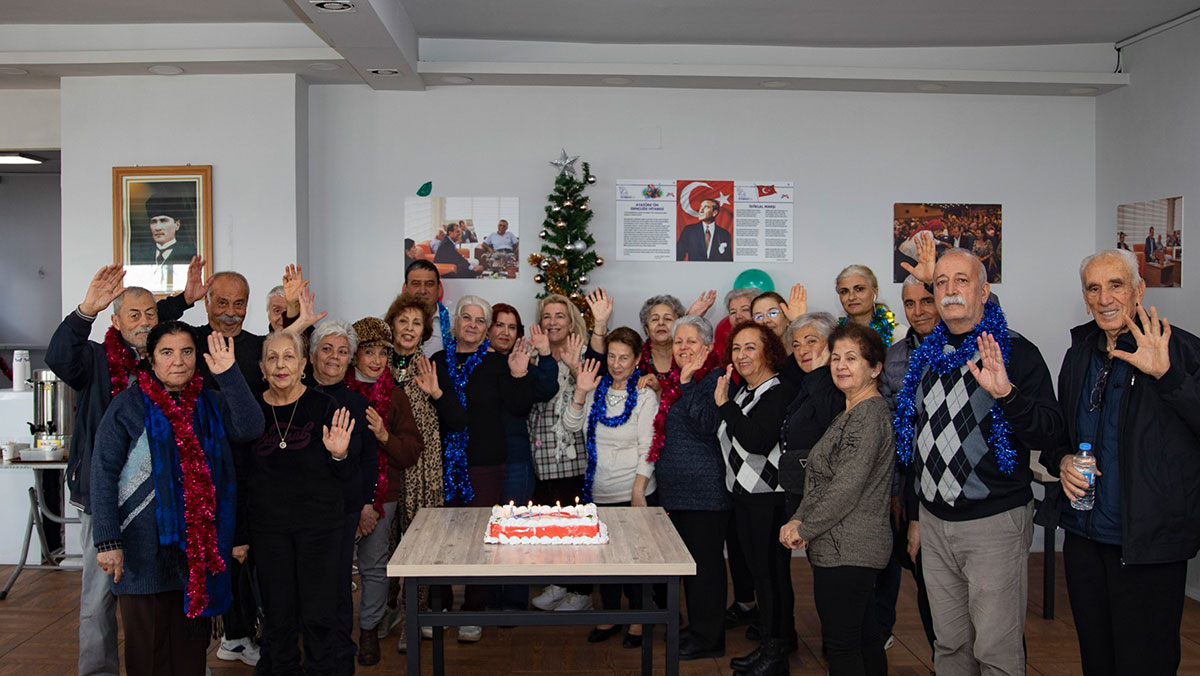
x=158, y=642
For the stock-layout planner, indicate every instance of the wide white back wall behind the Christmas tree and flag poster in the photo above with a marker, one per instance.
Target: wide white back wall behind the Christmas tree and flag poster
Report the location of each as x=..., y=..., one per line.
x=851, y=155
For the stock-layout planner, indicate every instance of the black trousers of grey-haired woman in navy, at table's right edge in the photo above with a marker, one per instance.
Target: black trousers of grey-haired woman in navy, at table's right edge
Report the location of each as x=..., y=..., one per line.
x=704, y=535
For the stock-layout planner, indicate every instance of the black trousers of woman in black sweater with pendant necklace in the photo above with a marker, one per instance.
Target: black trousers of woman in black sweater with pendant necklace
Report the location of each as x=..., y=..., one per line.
x=299, y=579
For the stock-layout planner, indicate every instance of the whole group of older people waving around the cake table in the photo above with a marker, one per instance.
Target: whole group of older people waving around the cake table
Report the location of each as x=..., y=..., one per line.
x=873, y=446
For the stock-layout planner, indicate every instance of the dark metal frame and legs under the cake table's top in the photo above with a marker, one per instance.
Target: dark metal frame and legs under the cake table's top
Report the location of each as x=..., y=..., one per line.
x=647, y=617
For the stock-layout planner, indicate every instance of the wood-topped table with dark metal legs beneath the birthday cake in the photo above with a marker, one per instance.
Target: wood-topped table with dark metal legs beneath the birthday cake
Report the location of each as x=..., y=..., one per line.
x=446, y=547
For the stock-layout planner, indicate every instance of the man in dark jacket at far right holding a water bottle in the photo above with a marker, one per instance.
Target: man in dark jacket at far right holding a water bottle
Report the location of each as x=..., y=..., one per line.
x=1131, y=387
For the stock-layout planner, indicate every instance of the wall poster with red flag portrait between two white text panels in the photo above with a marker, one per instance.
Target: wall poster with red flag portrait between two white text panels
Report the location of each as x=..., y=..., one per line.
x=707, y=220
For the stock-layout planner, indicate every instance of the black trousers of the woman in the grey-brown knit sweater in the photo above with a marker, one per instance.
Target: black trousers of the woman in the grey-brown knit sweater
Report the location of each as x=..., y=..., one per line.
x=845, y=601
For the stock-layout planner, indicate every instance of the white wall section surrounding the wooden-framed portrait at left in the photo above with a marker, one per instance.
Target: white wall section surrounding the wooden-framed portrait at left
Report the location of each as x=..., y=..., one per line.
x=245, y=127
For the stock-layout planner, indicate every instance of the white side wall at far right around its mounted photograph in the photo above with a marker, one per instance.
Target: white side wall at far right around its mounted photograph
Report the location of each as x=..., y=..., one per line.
x=1148, y=148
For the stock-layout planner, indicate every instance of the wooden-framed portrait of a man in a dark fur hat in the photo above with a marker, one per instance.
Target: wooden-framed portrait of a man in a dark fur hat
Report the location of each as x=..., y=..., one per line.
x=163, y=217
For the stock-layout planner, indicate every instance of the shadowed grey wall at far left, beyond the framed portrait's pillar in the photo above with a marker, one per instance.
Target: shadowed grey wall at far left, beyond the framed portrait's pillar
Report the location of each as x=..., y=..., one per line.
x=29, y=258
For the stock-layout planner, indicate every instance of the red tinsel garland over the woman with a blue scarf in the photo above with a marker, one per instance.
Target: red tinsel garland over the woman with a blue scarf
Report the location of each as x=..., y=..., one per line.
x=200, y=495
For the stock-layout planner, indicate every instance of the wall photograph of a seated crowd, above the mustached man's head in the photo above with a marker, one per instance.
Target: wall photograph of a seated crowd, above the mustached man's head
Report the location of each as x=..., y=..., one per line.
x=974, y=228
